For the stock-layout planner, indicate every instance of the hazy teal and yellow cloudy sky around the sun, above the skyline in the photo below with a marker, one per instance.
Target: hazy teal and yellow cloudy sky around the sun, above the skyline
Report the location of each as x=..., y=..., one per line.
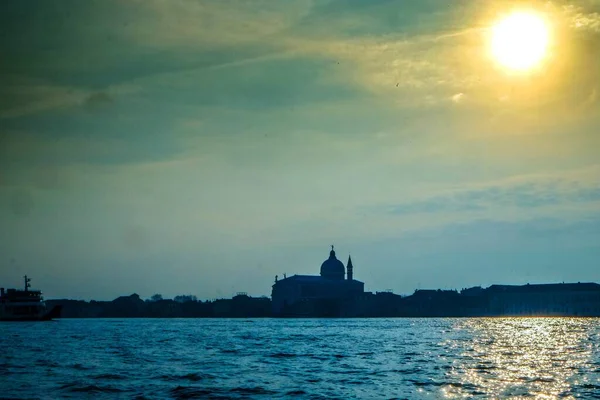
x=203, y=147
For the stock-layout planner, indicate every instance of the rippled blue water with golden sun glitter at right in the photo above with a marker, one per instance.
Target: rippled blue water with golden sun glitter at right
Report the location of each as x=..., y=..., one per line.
x=312, y=359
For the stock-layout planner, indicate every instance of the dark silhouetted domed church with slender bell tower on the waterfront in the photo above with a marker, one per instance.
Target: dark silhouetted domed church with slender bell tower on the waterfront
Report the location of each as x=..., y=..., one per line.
x=313, y=295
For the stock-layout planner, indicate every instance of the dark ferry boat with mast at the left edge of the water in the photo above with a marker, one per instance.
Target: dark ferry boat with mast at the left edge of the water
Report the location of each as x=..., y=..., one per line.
x=25, y=305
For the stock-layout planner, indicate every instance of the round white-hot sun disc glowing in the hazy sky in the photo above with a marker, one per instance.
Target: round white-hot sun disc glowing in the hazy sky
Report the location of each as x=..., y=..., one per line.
x=520, y=41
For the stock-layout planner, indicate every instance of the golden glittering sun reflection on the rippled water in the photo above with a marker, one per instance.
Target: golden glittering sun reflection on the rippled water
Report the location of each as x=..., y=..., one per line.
x=523, y=357
